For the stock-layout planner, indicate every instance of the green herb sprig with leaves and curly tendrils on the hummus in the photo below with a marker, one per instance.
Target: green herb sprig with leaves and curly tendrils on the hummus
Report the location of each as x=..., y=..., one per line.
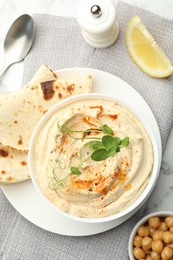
x=106, y=147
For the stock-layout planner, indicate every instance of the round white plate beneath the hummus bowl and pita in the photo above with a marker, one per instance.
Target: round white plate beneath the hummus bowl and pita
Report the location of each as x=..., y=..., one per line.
x=27, y=201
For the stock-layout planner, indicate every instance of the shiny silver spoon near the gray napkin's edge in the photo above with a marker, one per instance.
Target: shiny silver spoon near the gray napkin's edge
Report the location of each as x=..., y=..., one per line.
x=18, y=40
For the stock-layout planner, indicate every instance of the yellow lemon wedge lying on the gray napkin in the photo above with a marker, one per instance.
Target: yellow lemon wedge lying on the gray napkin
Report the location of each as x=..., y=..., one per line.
x=144, y=50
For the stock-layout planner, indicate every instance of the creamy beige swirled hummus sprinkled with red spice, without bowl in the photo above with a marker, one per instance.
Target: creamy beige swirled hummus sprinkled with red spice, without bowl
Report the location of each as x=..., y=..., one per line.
x=99, y=188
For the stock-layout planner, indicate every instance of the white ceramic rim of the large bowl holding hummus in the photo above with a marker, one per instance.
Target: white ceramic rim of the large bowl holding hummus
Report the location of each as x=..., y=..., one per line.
x=123, y=215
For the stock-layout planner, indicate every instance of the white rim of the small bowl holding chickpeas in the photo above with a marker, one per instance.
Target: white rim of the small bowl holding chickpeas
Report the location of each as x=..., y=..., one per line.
x=141, y=222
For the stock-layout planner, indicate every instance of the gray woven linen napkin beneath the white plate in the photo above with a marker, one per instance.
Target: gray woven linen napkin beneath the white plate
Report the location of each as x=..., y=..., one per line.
x=59, y=44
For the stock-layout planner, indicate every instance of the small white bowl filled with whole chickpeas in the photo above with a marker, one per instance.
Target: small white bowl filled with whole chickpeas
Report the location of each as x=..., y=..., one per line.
x=152, y=237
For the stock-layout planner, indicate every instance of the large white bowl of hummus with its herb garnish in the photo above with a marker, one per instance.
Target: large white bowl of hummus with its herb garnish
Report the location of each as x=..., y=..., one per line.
x=93, y=159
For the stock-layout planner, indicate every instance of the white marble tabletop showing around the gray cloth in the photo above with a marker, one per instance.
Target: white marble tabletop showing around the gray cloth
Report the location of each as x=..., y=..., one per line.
x=162, y=196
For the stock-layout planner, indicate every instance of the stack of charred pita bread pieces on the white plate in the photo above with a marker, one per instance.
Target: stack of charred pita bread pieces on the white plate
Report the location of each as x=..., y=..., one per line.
x=20, y=112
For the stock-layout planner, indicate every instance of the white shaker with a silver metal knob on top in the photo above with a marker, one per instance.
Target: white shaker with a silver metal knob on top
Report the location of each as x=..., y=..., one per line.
x=98, y=22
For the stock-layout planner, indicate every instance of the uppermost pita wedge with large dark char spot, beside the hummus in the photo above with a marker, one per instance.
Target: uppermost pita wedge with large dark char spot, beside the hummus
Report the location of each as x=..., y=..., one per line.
x=21, y=110
